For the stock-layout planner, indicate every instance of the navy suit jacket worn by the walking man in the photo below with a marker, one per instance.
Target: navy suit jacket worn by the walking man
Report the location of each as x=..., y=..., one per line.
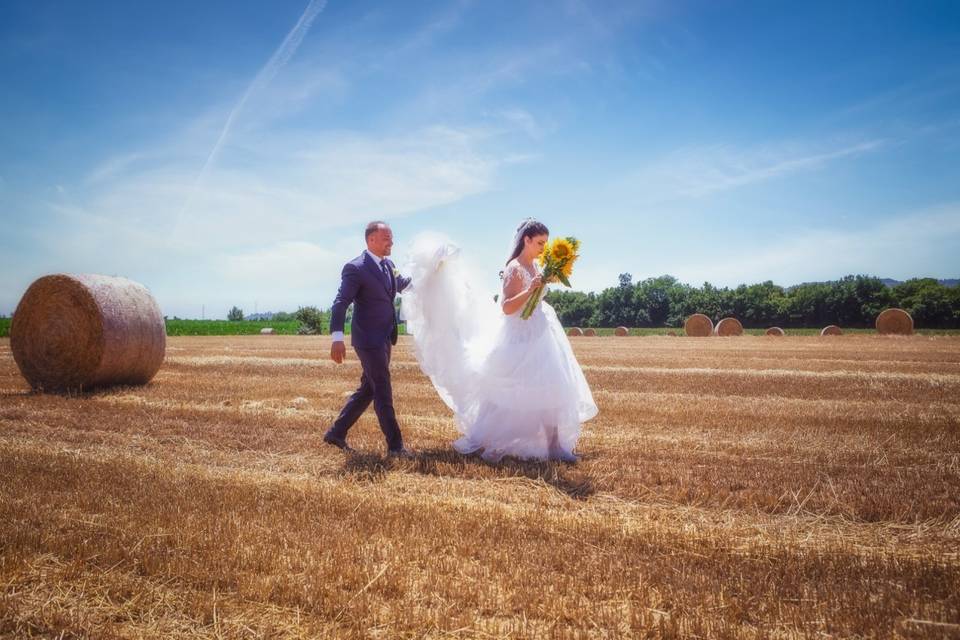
x=374, y=317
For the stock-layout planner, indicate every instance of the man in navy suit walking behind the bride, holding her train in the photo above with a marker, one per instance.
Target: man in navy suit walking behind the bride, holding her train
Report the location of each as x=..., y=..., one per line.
x=370, y=282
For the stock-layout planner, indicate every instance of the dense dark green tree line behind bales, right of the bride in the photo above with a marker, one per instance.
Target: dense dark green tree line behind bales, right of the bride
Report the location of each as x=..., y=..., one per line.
x=852, y=301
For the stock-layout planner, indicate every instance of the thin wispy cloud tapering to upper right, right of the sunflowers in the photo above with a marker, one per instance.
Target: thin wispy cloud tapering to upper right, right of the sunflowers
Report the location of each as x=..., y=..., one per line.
x=694, y=172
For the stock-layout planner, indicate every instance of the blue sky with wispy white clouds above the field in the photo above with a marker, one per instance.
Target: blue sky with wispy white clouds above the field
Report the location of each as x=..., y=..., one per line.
x=227, y=153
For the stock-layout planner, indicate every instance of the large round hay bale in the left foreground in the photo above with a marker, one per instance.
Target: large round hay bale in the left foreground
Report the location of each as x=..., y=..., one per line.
x=75, y=332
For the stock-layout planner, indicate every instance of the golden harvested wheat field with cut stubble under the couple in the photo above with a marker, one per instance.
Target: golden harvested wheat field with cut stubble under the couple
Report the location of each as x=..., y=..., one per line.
x=739, y=488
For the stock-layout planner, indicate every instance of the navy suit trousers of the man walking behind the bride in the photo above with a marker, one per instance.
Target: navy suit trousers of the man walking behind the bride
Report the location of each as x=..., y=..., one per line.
x=374, y=386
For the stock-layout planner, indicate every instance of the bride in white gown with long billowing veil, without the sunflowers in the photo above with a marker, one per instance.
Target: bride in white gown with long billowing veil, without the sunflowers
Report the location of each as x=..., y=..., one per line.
x=514, y=384
